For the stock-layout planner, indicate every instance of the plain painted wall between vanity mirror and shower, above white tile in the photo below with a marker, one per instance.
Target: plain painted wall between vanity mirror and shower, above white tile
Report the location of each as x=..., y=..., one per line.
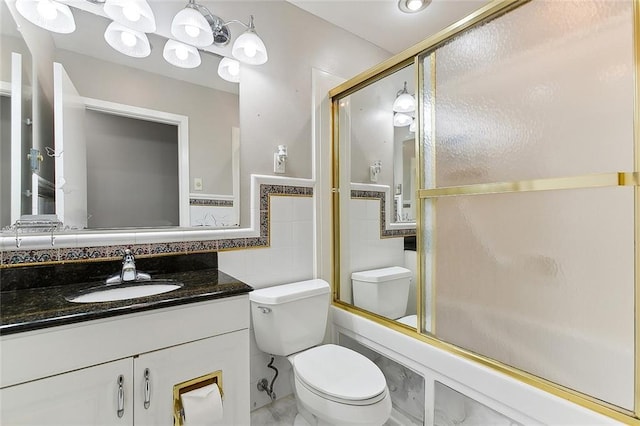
x=276, y=100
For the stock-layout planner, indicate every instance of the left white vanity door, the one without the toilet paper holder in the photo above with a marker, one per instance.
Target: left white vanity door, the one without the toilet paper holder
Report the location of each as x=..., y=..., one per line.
x=89, y=397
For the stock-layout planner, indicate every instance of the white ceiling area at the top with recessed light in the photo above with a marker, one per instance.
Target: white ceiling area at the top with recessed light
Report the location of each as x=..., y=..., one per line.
x=383, y=24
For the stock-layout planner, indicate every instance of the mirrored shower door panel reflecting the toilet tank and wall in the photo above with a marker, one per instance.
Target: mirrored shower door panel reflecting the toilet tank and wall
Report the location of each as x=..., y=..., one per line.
x=377, y=166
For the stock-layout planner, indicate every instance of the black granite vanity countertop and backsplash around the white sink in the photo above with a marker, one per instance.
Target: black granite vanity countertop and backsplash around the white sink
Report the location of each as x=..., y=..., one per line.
x=33, y=298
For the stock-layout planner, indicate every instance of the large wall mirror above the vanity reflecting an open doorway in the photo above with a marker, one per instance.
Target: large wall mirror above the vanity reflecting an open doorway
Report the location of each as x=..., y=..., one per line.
x=133, y=142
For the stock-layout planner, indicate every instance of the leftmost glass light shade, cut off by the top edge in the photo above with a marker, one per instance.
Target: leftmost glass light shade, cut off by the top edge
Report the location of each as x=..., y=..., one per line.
x=48, y=14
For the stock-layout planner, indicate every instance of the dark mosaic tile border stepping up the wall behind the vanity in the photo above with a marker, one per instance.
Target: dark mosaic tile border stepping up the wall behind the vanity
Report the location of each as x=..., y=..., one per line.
x=19, y=257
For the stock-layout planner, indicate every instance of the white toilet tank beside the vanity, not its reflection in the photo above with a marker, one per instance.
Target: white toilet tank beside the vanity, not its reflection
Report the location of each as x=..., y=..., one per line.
x=289, y=318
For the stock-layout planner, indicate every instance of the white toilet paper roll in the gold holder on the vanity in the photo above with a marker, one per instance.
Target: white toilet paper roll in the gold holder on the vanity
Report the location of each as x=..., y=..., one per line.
x=202, y=406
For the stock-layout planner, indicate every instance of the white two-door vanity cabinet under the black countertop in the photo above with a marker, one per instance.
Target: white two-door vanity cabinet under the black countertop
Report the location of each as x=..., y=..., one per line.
x=97, y=372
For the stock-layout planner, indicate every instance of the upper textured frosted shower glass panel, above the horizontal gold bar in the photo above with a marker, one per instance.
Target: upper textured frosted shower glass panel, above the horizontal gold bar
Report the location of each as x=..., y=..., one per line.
x=546, y=90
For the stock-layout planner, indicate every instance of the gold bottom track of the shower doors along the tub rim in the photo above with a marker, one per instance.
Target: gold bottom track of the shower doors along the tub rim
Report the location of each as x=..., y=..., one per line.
x=584, y=400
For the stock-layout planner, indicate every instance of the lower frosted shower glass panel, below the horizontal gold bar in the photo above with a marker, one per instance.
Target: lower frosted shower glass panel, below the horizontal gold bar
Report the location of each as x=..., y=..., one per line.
x=547, y=284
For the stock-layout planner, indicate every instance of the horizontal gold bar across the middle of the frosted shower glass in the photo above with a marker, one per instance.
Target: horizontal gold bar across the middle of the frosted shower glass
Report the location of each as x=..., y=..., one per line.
x=545, y=184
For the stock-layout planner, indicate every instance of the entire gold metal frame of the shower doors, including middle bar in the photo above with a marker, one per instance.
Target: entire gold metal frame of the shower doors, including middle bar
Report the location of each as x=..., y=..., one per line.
x=413, y=55
